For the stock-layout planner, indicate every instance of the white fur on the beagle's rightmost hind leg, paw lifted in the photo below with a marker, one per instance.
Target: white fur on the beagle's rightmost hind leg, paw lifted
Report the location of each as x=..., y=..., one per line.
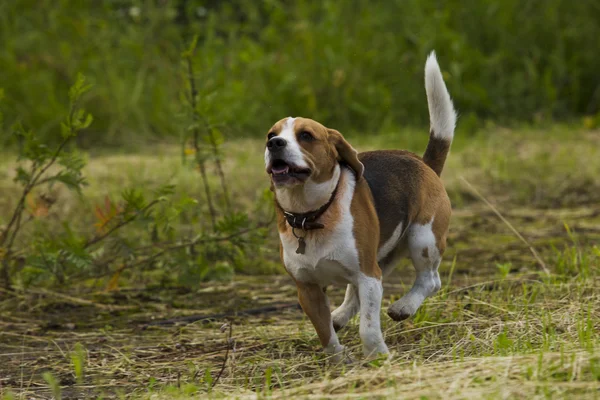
x=428, y=281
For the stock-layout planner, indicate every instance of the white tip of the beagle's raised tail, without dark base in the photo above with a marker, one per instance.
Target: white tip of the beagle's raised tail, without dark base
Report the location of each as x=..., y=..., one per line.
x=441, y=111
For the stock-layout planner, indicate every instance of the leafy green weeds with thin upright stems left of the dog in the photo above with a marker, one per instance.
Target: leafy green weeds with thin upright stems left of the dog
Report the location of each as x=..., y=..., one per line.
x=141, y=229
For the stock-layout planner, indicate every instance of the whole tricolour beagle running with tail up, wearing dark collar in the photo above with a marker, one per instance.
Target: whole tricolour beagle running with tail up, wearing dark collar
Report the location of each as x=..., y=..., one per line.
x=346, y=218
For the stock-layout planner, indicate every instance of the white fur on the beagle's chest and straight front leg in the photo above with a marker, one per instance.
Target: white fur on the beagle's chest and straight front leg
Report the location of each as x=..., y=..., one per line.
x=334, y=259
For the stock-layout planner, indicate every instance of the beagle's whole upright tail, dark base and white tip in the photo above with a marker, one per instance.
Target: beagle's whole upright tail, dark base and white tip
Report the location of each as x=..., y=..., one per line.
x=442, y=116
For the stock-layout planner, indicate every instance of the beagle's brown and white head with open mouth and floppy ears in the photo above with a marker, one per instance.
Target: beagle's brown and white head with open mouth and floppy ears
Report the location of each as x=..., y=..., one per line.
x=300, y=150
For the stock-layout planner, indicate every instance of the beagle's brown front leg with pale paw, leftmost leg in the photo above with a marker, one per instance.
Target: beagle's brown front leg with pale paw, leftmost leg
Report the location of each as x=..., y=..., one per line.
x=315, y=304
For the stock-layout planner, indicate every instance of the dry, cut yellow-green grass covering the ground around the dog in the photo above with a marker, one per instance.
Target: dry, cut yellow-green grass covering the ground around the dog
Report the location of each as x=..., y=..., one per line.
x=499, y=328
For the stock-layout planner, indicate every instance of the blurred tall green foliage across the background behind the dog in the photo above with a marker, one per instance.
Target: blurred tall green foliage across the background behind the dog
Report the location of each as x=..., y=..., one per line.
x=356, y=65
